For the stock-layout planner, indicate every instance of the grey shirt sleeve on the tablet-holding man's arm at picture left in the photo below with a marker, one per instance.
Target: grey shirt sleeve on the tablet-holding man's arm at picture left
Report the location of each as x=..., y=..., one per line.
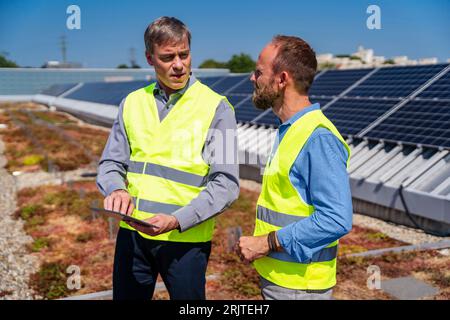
x=112, y=168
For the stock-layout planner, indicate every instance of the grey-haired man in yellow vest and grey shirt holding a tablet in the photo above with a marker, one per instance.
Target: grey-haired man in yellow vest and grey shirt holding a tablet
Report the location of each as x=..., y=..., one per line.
x=163, y=164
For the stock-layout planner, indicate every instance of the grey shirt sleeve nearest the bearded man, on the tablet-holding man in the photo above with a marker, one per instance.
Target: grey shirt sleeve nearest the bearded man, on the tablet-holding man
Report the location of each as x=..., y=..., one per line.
x=222, y=187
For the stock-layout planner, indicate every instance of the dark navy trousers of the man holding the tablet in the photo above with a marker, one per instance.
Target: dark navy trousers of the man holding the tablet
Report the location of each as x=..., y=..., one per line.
x=138, y=261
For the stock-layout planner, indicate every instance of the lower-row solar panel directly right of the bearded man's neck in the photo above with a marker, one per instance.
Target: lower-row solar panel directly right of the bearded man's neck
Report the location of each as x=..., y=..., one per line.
x=350, y=116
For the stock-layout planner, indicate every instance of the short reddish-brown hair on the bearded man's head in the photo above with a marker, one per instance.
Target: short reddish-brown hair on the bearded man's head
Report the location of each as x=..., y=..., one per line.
x=297, y=58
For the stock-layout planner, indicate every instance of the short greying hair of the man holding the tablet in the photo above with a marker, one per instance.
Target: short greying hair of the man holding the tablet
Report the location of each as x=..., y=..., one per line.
x=164, y=30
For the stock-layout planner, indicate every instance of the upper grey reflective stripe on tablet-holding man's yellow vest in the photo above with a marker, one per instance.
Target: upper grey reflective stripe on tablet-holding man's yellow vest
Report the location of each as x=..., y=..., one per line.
x=167, y=173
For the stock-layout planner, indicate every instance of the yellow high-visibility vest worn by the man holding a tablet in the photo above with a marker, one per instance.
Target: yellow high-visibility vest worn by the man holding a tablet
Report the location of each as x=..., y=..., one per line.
x=166, y=170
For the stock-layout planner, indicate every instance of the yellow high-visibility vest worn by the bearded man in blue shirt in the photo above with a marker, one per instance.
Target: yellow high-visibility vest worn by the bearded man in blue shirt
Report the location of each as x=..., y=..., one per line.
x=280, y=204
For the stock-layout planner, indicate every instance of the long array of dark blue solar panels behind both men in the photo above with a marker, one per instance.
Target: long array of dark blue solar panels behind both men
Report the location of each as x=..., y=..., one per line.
x=400, y=104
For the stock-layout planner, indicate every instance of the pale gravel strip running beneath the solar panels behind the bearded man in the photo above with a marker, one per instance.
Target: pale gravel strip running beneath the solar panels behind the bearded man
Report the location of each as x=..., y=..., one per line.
x=395, y=231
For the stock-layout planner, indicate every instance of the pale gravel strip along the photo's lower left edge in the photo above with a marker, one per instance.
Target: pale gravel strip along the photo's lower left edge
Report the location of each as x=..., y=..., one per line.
x=16, y=264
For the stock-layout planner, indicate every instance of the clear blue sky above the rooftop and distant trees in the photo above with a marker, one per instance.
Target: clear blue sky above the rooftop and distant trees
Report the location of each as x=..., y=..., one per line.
x=30, y=29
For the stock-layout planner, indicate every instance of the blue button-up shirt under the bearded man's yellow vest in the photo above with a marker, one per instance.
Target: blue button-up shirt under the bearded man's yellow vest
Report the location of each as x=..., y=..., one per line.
x=319, y=174
